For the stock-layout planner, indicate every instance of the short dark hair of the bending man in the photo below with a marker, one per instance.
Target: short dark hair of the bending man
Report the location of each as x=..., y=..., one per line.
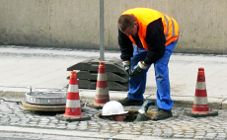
x=125, y=21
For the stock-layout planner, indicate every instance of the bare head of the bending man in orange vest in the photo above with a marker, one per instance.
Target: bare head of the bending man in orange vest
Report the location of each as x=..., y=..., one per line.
x=128, y=24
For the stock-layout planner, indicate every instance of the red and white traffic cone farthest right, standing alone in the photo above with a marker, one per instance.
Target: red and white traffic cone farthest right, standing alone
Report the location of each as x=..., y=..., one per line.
x=200, y=104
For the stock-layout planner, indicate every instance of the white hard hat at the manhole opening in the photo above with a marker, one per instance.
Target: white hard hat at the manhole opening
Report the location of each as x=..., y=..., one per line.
x=113, y=108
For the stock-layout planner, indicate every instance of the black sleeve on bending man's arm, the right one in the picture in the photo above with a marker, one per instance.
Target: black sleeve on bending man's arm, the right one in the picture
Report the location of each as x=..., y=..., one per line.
x=155, y=39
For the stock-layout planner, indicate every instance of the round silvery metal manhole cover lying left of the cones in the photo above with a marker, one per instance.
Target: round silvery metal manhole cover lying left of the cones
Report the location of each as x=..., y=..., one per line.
x=46, y=98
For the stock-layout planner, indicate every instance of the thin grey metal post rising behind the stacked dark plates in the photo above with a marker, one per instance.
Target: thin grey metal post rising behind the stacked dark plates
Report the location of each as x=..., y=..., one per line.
x=102, y=30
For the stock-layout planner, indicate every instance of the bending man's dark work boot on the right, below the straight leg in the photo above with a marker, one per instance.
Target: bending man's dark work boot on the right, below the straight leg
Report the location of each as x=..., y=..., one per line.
x=161, y=115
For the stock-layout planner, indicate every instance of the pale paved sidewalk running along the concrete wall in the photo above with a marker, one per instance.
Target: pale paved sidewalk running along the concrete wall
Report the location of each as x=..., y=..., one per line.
x=45, y=69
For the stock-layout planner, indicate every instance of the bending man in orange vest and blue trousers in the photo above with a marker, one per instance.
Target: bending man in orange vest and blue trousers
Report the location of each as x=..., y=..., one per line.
x=154, y=36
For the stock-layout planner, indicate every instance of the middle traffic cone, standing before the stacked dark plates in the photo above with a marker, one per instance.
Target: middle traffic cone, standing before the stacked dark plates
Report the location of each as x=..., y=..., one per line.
x=102, y=89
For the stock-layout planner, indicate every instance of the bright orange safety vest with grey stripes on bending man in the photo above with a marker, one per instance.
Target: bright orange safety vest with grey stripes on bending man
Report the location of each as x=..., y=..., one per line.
x=145, y=16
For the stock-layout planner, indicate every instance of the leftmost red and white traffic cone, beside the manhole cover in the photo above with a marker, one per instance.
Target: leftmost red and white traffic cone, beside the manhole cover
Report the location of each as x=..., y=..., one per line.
x=73, y=107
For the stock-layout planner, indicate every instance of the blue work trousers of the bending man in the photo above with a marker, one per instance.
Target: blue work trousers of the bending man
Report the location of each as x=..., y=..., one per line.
x=137, y=85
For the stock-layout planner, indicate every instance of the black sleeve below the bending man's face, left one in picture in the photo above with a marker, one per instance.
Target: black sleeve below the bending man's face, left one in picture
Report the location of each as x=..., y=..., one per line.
x=125, y=46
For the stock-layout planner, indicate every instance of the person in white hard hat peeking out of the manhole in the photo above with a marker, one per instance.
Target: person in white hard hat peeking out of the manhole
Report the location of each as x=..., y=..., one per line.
x=114, y=111
